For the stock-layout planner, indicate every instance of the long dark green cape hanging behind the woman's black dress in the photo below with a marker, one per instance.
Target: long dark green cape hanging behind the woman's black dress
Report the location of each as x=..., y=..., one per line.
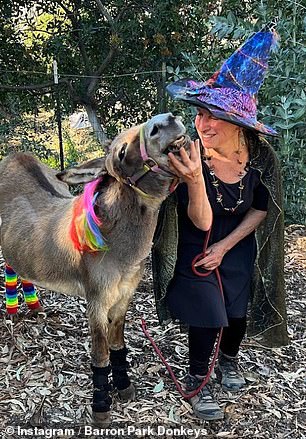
x=267, y=313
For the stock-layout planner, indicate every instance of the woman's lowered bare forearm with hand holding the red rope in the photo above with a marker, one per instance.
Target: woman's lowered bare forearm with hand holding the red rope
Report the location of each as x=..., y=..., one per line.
x=216, y=252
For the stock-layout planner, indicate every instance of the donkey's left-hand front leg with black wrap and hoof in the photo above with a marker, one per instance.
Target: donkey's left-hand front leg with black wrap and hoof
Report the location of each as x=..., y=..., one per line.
x=101, y=368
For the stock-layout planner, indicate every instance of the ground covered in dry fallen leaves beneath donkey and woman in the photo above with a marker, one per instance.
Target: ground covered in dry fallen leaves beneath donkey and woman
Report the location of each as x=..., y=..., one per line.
x=45, y=377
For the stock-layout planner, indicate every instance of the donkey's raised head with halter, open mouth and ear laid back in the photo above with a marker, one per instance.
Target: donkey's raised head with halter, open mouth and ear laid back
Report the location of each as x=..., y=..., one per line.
x=138, y=157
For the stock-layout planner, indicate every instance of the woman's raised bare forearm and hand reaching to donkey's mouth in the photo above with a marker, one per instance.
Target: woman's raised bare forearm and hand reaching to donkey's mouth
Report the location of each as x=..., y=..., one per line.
x=190, y=171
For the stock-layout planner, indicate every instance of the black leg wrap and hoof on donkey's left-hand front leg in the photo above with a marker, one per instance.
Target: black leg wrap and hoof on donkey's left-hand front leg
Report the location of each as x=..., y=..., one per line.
x=101, y=397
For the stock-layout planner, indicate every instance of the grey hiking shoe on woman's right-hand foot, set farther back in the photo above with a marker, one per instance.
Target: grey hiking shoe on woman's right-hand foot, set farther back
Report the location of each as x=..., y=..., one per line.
x=231, y=378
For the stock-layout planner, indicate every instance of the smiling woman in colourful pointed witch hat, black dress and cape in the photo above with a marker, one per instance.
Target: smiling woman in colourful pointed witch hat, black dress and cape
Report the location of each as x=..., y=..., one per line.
x=233, y=177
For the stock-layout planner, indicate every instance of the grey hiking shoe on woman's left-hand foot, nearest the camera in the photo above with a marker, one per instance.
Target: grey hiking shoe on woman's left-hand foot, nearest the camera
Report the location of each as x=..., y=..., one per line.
x=203, y=404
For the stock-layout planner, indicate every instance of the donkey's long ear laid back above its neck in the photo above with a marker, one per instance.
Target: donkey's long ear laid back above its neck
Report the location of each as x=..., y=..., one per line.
x=84, y=173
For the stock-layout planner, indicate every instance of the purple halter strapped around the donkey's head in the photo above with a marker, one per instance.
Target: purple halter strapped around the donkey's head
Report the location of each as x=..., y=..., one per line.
x=149, y=164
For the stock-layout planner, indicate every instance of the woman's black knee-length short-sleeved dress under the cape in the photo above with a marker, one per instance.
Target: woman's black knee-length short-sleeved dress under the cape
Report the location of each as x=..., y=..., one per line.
x=195, y=300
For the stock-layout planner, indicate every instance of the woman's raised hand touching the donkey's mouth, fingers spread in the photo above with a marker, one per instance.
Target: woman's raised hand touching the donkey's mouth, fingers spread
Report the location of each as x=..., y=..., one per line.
x=190, y=168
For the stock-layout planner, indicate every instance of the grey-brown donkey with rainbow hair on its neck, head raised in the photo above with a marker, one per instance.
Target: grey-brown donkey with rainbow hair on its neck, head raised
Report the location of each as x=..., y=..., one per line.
x=93, y=245
